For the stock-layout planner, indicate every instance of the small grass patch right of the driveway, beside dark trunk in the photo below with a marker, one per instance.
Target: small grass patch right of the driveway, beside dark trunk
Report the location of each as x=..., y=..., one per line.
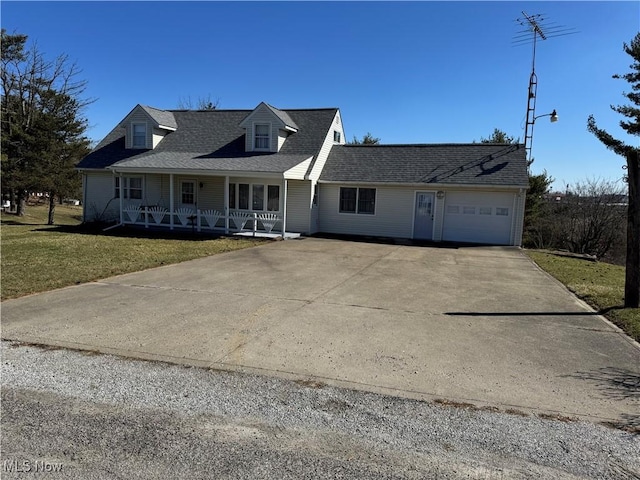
x=599, y=284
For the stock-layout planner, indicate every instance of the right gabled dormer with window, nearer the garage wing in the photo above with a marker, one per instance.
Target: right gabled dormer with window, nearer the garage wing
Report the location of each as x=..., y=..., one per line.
x=267, y=128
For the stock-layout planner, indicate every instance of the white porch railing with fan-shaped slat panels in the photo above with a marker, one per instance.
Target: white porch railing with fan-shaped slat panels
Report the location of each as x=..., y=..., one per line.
x=199, y=220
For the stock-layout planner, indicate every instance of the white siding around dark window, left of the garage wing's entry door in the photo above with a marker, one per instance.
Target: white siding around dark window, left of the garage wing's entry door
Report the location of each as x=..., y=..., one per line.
x=393, y=214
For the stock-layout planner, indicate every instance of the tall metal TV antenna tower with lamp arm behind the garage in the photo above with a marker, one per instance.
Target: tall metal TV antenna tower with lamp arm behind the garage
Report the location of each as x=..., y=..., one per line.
x=536, y=27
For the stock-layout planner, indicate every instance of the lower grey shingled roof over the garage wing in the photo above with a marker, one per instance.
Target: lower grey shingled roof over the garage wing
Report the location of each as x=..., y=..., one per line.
x=464, y=164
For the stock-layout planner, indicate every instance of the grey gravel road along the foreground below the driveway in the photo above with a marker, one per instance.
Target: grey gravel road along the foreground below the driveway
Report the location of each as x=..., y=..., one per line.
x=104, y=417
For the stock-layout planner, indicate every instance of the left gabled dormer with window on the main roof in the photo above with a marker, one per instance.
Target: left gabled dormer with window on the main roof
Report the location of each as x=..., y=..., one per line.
x=146, y=126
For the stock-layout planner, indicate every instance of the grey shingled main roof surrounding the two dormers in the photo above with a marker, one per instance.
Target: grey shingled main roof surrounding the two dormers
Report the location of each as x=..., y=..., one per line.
x=214, y=140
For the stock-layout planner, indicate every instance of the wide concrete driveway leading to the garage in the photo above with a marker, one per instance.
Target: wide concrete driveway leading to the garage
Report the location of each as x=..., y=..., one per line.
x=477, y=325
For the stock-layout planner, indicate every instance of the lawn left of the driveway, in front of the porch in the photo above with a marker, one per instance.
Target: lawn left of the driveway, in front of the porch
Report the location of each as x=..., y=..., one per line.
x=37, y=257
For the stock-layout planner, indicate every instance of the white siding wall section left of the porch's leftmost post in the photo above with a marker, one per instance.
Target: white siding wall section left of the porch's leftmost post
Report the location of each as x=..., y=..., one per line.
x=99, y=197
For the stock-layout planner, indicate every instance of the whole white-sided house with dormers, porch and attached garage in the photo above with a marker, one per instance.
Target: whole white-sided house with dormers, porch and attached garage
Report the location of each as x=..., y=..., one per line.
x=290, y=172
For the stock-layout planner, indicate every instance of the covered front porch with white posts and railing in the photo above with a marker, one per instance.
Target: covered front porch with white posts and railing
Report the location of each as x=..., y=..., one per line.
x=229, y=204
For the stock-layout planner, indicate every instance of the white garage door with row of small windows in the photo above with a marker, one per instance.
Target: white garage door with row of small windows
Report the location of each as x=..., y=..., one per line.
x=478, y=217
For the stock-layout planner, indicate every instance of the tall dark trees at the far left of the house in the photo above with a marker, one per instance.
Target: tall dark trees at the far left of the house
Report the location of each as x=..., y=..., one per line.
x=43, y=125
